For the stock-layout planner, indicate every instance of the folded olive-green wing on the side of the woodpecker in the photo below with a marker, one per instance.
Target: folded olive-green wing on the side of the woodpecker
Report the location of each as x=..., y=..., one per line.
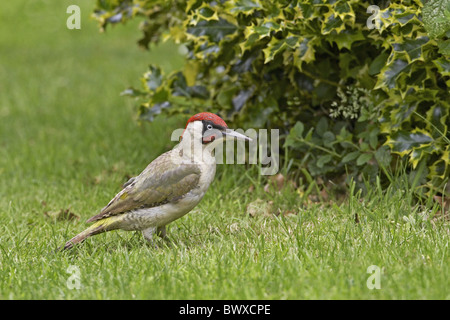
x=161, y=182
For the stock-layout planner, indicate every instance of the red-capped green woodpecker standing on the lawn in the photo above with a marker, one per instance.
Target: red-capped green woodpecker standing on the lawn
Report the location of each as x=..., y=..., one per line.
x=169, y=187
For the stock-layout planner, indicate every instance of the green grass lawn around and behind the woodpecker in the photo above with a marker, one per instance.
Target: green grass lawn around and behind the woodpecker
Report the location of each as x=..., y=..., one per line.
x=68, y=141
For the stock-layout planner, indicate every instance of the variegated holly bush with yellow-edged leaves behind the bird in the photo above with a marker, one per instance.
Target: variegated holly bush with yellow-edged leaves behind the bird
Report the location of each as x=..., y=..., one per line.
x=353, y=88
